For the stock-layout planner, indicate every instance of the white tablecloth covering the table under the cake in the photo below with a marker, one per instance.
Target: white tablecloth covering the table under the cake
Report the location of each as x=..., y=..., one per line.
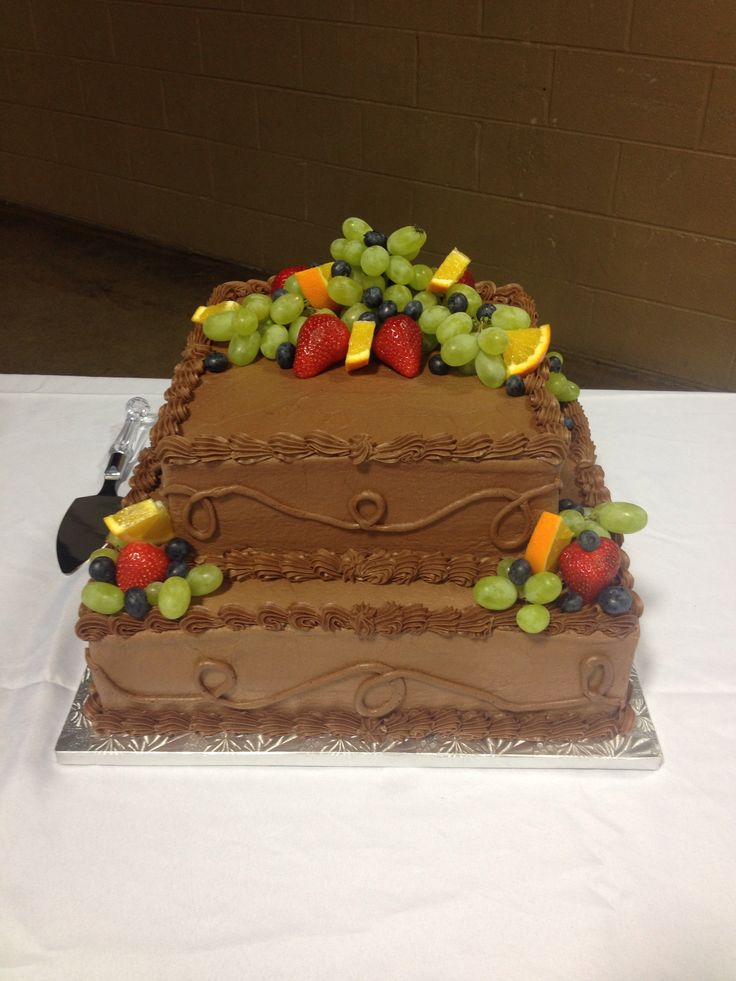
x=112, y=872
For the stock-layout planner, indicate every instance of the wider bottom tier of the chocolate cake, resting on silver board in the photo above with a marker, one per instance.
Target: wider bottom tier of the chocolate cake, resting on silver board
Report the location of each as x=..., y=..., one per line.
x=342, y=658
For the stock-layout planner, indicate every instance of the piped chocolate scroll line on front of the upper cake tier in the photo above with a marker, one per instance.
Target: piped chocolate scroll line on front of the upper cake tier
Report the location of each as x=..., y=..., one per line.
x=199, y=516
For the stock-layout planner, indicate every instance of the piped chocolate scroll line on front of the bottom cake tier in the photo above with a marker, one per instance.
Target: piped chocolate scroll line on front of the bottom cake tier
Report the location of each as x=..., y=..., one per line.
x=376, y=676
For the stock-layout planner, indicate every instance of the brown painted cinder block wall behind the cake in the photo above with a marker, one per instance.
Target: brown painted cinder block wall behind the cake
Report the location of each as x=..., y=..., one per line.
x=584, y=147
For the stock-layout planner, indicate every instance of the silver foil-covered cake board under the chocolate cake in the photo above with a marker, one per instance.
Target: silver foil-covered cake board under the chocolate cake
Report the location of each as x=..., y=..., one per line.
x=78, y=743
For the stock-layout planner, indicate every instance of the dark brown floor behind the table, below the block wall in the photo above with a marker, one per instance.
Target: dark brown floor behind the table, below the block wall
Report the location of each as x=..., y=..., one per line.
x=78, y=300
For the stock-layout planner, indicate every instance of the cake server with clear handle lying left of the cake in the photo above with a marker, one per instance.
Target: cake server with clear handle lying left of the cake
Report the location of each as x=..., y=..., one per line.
x=81, y=529
